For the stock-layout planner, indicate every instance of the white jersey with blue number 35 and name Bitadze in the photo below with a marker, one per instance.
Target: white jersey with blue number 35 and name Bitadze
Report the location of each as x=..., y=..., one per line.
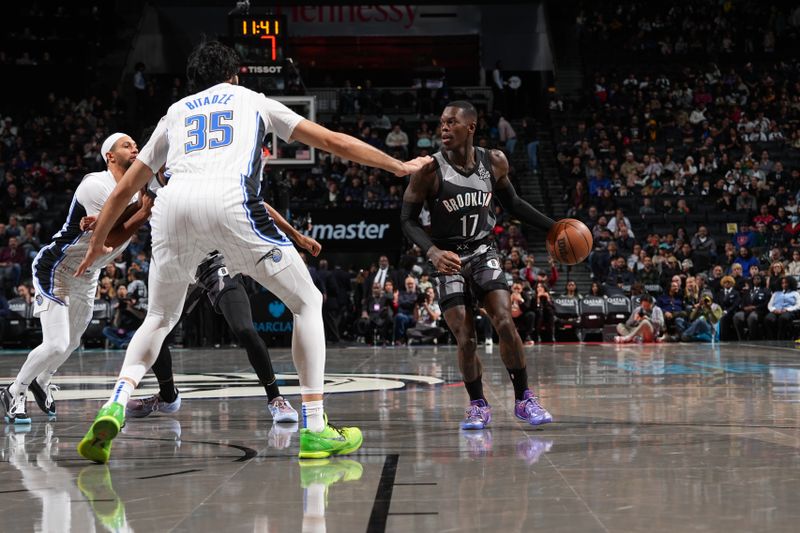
x=217, y=133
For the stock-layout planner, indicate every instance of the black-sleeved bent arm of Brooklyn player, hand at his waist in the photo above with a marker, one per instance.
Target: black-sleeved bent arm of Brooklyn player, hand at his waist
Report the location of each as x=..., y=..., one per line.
x=414, y=198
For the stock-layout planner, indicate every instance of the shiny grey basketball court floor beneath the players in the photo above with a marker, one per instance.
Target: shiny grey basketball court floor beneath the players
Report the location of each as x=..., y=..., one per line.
x=675, y=437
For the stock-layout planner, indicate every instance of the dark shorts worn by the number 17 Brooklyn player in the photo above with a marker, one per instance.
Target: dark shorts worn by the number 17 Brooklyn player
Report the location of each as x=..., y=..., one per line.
x=480, y=274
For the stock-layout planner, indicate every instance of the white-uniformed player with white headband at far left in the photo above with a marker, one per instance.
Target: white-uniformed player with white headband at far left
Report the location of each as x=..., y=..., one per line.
x=65, y=302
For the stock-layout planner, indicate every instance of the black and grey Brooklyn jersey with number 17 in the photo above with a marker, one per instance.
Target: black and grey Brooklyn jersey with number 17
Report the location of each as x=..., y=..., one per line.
x=462, y=214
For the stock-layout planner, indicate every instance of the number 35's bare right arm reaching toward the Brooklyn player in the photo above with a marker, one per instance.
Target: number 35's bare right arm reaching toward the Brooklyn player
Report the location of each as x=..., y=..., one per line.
x=351, y=148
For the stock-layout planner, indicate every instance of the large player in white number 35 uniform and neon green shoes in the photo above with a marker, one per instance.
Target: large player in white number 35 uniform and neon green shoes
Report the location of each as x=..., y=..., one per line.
x=211, y=143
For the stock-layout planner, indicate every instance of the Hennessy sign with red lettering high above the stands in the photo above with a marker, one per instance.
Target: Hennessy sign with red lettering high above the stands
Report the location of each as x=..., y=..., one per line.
x=394, y=19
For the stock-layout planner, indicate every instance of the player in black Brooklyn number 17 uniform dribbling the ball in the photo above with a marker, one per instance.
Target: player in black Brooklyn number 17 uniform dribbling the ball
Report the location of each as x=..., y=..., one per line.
x=459, y=187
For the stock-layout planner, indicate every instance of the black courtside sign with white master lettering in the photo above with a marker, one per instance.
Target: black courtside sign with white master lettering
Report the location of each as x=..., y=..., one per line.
x=356, y=229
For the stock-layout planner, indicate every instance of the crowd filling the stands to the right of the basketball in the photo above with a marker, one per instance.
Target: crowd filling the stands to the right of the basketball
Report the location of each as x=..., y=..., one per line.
x=688, y=174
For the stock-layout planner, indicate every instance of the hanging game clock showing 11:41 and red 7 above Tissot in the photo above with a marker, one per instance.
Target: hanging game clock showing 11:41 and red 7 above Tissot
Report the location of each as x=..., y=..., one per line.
x=261, y=42
